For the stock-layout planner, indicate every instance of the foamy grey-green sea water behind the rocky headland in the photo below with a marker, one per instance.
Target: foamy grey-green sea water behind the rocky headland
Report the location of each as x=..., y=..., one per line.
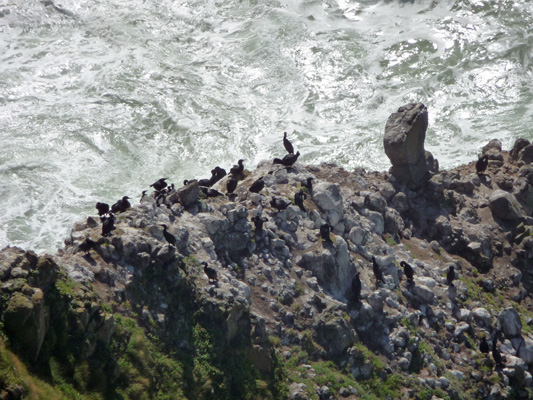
x=98, y=99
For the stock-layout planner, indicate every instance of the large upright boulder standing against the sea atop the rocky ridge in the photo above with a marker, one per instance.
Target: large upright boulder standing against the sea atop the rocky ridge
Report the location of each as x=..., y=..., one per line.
x=405, y=133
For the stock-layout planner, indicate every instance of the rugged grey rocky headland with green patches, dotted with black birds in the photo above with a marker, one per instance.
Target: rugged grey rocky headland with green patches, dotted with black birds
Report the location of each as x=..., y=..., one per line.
x=284, y=305
